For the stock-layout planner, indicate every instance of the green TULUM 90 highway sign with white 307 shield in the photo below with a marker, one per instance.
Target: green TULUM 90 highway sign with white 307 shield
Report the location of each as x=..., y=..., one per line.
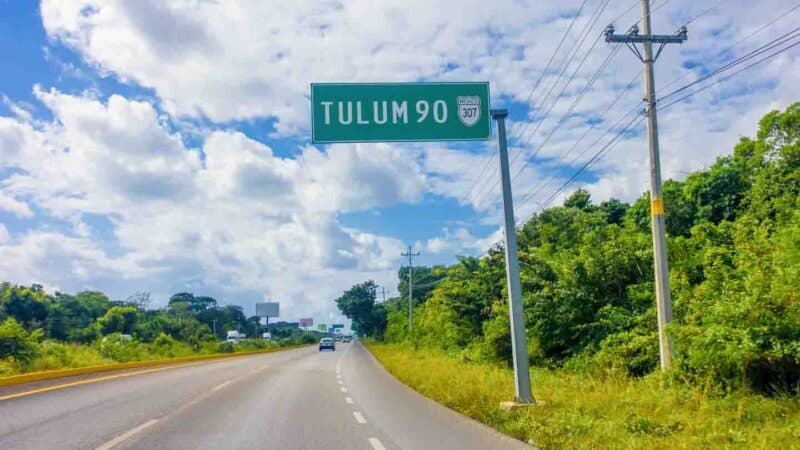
x=390, y=112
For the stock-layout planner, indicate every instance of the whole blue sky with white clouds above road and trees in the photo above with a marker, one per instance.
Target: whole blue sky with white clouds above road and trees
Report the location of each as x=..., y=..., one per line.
x=146, y=146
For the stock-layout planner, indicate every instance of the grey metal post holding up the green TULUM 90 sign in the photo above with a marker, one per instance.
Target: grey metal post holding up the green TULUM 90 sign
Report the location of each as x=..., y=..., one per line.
x=519, y=346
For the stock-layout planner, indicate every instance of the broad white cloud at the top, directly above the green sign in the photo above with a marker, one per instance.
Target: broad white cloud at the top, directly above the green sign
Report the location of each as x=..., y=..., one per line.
x=188, y=54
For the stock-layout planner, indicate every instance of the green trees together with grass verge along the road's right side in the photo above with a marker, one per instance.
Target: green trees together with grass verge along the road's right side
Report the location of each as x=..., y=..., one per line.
x=587, y=273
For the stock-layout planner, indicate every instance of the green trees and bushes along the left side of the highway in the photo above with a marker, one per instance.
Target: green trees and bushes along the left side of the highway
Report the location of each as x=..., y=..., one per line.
x=41, y=331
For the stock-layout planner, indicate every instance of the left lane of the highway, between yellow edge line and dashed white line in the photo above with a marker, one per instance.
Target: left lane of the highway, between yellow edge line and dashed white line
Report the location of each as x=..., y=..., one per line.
x=86, y=416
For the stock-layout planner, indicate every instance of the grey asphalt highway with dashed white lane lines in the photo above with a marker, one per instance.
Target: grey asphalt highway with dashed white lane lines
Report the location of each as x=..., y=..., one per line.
x=296, y=399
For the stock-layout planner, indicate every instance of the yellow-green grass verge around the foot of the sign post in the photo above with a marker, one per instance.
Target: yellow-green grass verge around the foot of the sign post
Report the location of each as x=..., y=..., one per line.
x=584, y=412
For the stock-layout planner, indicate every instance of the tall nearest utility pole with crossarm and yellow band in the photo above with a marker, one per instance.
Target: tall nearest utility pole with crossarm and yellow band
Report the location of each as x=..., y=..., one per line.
x=647, y=39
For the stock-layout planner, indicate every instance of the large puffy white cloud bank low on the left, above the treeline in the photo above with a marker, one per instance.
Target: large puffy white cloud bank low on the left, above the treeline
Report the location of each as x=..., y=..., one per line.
x=229, y=216
